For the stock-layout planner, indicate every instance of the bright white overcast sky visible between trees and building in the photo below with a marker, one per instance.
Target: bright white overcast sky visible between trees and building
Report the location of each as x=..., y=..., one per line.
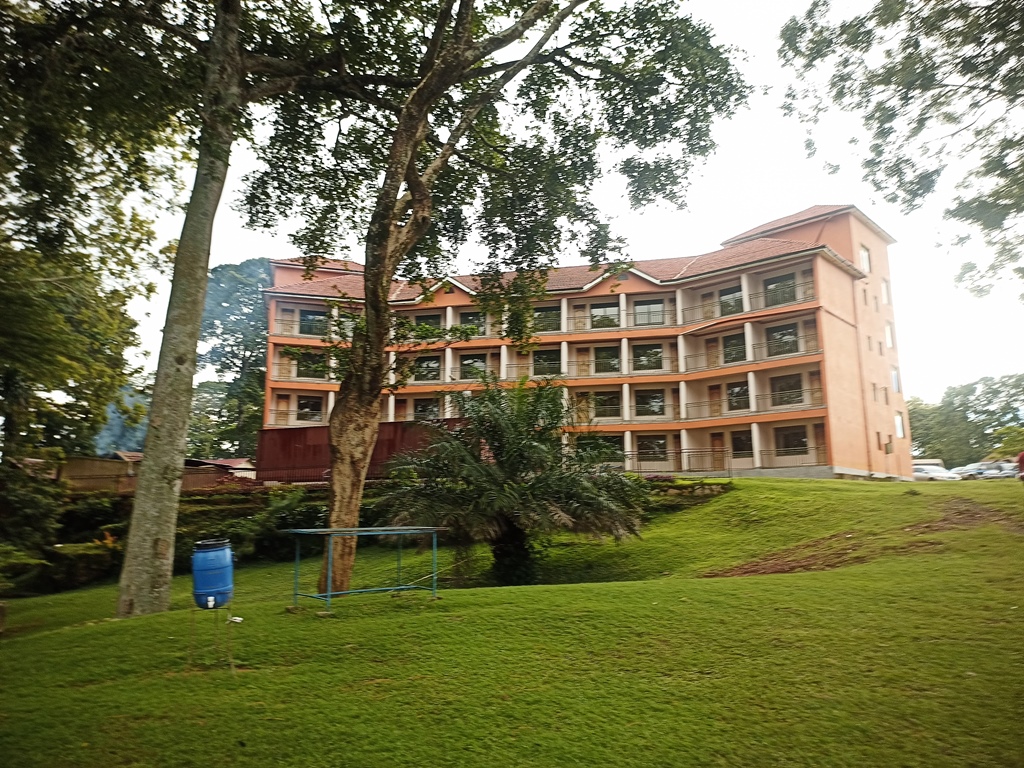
x=760, y=173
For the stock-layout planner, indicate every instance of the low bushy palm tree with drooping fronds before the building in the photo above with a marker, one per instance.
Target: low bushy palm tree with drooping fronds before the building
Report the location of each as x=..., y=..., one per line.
x=511, y=474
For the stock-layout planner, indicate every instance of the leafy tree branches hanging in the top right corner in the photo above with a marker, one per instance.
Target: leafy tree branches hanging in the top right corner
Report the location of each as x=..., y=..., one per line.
x=932, y=80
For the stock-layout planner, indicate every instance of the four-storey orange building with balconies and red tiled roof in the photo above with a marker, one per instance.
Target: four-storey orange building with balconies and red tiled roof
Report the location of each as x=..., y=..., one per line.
x=776, y=355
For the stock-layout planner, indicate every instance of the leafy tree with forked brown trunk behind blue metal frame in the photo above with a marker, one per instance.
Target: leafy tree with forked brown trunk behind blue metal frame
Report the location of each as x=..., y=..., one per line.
x=486, y=120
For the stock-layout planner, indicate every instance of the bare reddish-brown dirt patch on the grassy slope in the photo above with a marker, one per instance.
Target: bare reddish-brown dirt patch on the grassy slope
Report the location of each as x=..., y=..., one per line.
x=850, y=548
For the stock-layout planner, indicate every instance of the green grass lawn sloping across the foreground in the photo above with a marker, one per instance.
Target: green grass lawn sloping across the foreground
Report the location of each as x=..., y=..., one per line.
x=898, y=641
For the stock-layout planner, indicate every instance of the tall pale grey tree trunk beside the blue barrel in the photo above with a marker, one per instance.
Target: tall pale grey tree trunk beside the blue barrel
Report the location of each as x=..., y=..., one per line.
x=146, y=577
